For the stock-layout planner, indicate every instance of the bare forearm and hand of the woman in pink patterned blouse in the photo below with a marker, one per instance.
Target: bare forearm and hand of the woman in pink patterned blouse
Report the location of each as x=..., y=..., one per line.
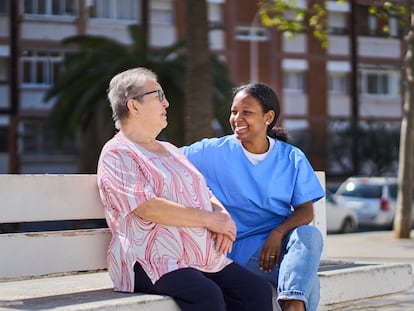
x=170, y=213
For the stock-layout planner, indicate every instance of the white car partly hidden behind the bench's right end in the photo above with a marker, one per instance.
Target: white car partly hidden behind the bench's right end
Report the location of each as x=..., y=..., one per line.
x=339, y=220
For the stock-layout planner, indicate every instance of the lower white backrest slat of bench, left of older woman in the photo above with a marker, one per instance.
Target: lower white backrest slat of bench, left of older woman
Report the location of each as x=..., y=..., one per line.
x=43, y=253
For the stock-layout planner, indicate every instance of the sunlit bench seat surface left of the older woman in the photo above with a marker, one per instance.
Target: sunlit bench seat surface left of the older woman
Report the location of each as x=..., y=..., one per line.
x=83, y=292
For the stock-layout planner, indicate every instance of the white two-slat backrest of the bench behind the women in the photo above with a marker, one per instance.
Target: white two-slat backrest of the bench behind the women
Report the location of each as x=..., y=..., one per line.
x=33, y=198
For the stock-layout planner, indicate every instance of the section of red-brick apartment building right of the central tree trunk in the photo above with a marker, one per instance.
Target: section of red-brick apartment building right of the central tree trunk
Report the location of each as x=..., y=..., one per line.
x=315, y=84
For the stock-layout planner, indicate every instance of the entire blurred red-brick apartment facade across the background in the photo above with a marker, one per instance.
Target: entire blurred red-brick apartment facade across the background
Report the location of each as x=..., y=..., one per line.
x=314, y=84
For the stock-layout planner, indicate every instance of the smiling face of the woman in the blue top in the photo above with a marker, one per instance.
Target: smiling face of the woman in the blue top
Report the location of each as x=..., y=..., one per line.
x=247, y=119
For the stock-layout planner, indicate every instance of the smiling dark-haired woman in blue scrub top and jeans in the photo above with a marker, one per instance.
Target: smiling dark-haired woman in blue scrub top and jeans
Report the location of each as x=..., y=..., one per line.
x=268, y=186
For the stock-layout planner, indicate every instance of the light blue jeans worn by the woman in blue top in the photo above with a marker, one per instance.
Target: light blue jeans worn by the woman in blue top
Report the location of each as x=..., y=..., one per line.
x=296, y=277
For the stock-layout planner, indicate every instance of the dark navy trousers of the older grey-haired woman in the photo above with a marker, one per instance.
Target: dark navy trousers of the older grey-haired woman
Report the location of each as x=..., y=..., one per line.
x=233, y=288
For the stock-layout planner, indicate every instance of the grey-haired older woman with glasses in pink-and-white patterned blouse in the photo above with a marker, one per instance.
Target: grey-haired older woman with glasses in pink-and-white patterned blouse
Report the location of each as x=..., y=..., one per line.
x=170, y=235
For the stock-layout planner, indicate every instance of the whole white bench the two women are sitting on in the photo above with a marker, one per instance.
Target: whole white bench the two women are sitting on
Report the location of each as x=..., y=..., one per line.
x=66, y=269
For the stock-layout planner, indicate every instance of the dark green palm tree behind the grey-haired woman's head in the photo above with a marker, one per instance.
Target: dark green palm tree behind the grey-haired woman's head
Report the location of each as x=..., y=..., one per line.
x=81, y=107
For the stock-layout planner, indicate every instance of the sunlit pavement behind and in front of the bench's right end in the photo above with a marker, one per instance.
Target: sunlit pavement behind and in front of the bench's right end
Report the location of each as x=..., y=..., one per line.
x=374, y=246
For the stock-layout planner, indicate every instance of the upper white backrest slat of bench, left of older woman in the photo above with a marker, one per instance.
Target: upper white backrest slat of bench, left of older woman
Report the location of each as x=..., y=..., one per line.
x=49, y=197
